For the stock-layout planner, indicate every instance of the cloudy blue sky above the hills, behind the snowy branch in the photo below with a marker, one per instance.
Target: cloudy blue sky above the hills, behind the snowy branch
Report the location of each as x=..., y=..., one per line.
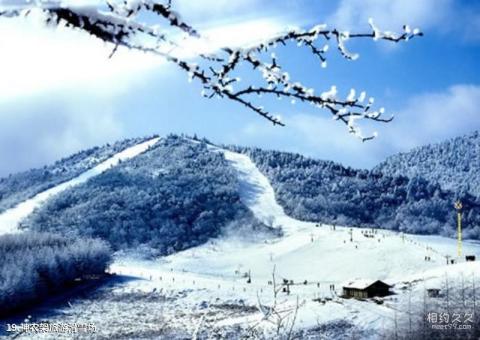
x=59, y=93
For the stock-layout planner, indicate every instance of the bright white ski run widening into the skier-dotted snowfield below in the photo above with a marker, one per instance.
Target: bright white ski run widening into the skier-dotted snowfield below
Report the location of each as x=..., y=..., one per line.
x=318, y=256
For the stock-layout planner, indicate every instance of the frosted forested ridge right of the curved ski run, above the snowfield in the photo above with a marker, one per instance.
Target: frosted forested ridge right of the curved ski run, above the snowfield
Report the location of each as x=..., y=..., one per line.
x=327, y=192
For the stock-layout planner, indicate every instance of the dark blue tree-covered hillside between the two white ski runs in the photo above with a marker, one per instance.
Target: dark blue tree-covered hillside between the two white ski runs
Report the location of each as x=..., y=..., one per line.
x=176, y=195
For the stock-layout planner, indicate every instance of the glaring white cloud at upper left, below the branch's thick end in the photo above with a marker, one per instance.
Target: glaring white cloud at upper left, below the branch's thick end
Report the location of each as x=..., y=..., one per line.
x=37, y=59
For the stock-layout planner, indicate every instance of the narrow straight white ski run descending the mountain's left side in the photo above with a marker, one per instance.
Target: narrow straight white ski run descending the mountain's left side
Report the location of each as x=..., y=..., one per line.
x=10, y=219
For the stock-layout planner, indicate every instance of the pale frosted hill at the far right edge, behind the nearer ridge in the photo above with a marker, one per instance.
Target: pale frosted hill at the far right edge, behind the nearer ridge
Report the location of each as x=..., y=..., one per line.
x=455, y=164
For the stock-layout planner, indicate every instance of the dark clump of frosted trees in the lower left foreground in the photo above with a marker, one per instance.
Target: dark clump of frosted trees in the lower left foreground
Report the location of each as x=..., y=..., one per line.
x=36, y=265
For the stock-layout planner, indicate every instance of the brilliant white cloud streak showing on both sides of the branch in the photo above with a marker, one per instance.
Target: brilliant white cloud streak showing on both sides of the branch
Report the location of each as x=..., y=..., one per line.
x=37, y=59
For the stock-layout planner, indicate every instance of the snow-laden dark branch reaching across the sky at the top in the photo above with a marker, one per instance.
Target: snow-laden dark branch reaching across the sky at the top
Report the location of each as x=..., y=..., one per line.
x=121, y=24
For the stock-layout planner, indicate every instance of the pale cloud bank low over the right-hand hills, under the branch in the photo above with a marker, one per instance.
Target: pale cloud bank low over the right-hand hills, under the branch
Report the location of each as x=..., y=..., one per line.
x=425, y=118
